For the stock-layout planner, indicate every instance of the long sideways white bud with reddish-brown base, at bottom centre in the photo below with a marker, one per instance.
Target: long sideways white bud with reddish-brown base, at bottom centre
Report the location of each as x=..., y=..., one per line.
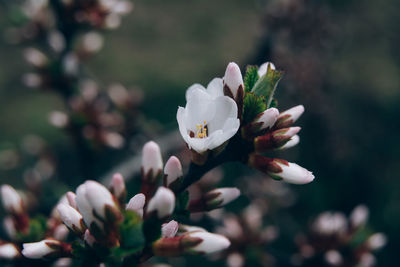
x=191, y=243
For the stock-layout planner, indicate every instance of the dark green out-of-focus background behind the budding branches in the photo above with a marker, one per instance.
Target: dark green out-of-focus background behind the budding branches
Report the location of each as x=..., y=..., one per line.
x=341, y=61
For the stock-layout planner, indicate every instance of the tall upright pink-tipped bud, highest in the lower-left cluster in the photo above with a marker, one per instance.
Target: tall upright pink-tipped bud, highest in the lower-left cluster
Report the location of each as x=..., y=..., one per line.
x=152, y=160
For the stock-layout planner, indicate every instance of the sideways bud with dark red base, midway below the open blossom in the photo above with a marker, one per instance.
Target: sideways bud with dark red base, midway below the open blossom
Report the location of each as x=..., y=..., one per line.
x=214, y=199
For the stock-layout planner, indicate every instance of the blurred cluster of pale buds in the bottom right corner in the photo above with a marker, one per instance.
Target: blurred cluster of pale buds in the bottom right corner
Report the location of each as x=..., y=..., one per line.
x=340, y=240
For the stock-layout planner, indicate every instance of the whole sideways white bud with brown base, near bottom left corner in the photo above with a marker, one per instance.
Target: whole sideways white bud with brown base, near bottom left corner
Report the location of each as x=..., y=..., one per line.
x=46, y=248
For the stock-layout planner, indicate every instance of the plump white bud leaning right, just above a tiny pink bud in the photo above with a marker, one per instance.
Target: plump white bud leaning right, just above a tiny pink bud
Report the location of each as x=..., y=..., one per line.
x=163, y=203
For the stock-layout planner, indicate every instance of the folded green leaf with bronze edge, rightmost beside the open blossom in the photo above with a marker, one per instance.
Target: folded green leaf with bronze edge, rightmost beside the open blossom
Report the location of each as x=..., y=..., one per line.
x=267, y=84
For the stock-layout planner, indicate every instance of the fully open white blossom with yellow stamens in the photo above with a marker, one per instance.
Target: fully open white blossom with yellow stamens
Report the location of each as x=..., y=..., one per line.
x=209, y=118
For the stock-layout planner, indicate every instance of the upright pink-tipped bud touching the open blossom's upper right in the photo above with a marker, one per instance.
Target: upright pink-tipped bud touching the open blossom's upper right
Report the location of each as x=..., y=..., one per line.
x=233, y=80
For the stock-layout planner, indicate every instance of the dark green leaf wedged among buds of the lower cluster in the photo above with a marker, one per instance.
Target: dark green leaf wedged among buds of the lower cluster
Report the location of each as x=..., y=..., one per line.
x=131, y=230
